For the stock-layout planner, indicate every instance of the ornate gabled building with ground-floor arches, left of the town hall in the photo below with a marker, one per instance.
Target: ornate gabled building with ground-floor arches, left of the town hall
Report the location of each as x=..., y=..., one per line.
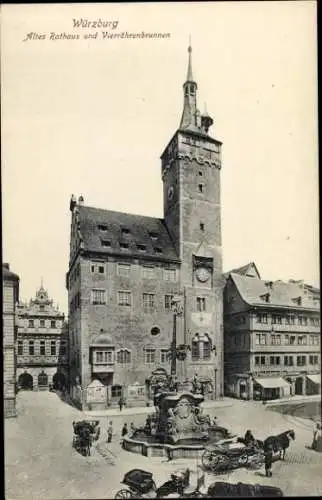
x=42, y=344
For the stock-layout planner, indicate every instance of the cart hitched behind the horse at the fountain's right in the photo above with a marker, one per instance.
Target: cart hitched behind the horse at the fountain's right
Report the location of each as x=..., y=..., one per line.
x=230, y=454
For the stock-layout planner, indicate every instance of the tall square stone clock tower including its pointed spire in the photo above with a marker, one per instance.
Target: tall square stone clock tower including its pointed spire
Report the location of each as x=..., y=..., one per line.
x=191, y=166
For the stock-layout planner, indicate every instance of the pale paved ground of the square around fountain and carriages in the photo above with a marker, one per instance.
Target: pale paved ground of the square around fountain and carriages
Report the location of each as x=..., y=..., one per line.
x=42, y=464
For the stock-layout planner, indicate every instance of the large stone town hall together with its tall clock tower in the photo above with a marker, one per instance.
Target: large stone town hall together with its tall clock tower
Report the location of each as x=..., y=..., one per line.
x=124, y=270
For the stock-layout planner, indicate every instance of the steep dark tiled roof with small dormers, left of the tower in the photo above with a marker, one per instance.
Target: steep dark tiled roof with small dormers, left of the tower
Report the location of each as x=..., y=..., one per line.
x=106, y=231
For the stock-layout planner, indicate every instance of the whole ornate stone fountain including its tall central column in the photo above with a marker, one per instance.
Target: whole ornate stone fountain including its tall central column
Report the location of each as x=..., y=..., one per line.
x=178, y=427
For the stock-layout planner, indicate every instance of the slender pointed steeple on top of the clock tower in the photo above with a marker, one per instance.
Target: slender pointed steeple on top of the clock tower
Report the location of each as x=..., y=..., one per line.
x=190, y=97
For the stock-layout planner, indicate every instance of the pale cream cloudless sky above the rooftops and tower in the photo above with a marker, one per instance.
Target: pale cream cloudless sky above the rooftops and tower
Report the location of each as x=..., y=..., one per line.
x=92, y=117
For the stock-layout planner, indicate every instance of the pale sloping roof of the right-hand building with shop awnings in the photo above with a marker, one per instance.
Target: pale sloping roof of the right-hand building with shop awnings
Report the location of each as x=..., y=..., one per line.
x=279, y=293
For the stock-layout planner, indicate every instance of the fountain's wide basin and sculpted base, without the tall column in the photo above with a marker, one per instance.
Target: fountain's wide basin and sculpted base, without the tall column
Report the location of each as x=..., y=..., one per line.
x=178, y=427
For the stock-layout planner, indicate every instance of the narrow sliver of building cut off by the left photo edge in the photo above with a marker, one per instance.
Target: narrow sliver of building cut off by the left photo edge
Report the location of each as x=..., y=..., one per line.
x=10, y=291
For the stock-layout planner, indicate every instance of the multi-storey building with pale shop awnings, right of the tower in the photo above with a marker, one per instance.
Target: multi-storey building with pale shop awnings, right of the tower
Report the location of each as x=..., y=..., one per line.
x=272, y=336
